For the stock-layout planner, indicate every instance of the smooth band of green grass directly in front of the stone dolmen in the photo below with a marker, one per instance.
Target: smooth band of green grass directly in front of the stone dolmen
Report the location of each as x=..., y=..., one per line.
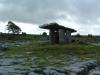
x=56, y=50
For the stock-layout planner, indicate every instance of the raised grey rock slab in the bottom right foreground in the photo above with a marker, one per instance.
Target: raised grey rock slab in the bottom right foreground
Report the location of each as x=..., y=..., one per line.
x=81, y=68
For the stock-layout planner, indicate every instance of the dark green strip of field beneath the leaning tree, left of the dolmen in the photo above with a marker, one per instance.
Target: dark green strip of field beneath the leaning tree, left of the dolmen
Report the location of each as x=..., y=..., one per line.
x=19, y=37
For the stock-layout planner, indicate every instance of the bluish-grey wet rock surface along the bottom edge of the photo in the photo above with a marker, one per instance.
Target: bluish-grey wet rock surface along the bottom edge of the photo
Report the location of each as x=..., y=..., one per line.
x=18, y=66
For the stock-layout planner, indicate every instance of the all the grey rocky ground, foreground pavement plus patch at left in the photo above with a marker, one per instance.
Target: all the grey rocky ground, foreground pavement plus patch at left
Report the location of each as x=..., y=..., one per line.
x=21, y=65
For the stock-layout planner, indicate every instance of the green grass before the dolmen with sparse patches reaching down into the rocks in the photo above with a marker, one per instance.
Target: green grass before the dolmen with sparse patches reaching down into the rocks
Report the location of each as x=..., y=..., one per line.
x=55, y=52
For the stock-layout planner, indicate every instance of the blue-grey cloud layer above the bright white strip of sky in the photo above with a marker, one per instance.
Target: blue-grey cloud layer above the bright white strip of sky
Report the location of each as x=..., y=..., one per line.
x=85, y=12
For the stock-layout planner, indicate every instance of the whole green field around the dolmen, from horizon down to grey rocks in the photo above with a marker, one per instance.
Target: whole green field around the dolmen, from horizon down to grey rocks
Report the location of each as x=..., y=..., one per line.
x=56, y=54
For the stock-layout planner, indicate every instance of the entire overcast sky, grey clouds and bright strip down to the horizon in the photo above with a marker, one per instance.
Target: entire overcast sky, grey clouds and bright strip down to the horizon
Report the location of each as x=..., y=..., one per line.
x=82, y=15
